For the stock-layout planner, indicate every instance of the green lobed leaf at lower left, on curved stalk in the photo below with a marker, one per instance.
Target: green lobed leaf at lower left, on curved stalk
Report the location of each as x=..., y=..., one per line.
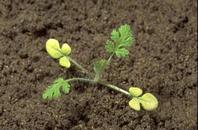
x=54, y=90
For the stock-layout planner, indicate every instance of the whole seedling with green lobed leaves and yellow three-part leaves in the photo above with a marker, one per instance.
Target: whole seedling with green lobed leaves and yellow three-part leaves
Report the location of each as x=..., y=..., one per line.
x=121, y=39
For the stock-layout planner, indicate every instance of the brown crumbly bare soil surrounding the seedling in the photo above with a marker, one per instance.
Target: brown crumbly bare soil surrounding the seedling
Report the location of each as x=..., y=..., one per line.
x=162, y=61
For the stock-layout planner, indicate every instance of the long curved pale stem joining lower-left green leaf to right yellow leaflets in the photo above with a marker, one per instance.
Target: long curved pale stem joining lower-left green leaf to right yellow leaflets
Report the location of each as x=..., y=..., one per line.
x=113, y=87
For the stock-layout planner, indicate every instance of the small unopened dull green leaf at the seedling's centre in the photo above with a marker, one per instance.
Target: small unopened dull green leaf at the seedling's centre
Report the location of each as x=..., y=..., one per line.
x=99, y=67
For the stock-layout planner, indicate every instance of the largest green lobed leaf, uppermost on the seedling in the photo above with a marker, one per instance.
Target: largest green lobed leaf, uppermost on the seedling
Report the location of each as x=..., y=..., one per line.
x=120, y=39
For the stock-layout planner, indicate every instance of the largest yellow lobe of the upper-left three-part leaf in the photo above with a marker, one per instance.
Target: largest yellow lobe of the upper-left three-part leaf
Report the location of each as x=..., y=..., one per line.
x=53, y=48
